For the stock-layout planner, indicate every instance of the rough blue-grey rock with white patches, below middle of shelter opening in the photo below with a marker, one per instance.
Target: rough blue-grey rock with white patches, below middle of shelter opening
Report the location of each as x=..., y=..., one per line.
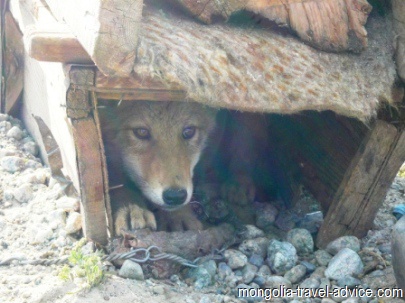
x=281, y=256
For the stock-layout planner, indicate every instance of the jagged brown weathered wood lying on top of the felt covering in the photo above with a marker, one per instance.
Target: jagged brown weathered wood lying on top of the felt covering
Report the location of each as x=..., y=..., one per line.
x=332, y=25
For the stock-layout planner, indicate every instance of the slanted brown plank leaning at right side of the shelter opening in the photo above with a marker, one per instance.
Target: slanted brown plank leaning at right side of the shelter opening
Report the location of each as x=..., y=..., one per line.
x=365, y=184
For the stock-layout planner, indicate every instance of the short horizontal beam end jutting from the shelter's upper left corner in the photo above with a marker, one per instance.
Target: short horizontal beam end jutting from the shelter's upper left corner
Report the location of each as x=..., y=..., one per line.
x=54, y=44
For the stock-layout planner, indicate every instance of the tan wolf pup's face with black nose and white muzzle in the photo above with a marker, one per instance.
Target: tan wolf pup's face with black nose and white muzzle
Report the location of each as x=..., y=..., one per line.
x=160, y=144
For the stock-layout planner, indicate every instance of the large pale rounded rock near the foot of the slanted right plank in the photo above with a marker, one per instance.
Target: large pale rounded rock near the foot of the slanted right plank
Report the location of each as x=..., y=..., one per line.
x=345, y=263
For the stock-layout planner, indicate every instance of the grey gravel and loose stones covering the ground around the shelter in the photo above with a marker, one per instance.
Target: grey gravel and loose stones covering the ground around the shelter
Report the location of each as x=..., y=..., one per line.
x=38, y=221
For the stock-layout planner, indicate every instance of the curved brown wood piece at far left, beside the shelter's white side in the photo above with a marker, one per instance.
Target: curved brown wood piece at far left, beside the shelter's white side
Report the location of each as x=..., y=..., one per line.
x=13, y=63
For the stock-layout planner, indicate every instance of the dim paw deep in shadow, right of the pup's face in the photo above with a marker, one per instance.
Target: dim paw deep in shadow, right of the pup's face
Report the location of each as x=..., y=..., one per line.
x=239, y=191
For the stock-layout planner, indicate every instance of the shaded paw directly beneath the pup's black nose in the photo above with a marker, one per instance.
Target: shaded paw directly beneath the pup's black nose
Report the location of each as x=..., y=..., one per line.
x=178, y=220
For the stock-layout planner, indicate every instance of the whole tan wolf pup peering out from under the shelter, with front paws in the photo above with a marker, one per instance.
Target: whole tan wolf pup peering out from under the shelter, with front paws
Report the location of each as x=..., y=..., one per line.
x=152, y=149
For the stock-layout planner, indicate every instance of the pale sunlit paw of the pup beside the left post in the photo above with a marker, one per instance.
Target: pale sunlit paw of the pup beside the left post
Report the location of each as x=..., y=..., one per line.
x=131, y=217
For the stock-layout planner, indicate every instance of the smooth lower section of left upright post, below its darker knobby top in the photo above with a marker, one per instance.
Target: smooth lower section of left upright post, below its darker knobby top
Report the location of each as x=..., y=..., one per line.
x=90, y=164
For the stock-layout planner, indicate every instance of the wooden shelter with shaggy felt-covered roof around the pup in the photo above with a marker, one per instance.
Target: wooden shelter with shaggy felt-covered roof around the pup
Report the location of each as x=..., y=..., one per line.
x=339, y=114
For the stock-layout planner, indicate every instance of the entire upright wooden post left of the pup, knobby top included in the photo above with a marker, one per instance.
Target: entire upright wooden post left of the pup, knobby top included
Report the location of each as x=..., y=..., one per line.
x=90, y=160
